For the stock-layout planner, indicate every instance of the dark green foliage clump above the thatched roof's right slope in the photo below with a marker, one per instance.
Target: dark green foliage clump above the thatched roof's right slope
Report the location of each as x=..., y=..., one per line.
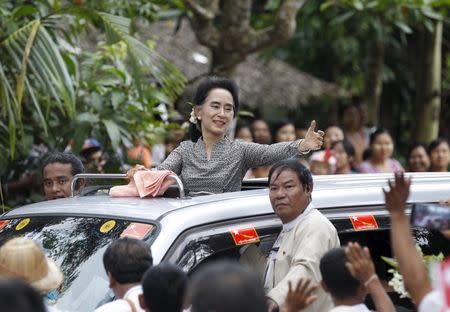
x=326, y=49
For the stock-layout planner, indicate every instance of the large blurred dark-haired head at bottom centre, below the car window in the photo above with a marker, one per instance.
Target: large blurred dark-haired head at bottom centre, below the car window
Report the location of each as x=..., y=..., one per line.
x=225, y=286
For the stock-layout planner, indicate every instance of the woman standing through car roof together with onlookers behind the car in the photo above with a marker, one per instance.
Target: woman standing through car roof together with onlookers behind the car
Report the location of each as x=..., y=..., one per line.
x=250, y=146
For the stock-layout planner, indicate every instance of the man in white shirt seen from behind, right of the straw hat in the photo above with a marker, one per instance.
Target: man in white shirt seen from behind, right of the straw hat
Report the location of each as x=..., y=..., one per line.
x=126, y=260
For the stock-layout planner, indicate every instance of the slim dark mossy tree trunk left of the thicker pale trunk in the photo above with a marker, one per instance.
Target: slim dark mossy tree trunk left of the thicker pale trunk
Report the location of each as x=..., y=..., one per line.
x=374, y=81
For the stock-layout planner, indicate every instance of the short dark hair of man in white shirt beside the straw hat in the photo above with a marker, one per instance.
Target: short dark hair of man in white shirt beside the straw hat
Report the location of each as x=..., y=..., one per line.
x=127, y=259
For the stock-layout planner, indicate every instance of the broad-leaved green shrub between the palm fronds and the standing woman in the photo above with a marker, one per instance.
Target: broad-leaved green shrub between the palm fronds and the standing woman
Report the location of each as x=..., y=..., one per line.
x=111, y=107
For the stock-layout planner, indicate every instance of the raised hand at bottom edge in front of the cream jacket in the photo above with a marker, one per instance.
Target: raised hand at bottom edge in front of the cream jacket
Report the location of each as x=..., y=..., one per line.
x=300, y=297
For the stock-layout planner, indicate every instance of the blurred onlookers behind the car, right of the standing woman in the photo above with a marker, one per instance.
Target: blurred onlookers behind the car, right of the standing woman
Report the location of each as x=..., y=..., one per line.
x=349, y=149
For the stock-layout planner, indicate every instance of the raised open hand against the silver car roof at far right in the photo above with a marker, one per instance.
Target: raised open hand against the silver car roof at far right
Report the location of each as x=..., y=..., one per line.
x=397, y=194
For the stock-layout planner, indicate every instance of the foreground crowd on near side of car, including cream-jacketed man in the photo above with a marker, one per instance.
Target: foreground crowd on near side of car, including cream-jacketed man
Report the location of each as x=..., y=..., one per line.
x=306, y=269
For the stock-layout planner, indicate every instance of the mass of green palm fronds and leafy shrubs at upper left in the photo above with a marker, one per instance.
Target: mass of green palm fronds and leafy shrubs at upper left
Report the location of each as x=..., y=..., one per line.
x=43, y=86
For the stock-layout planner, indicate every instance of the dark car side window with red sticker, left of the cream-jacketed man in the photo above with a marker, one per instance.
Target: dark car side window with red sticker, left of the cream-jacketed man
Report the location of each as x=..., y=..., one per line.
x=222, y=241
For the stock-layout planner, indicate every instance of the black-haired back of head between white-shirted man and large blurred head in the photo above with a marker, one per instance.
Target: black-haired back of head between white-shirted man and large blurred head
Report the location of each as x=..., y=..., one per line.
x=164, y=286
